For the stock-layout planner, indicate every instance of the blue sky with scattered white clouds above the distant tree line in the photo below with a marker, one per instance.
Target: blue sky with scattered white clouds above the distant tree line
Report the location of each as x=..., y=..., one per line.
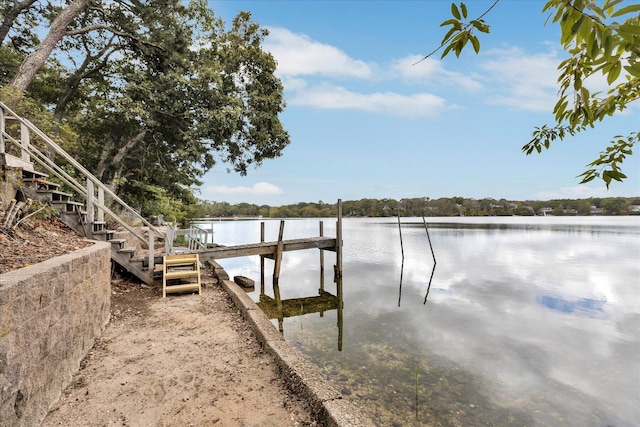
x=367, y=123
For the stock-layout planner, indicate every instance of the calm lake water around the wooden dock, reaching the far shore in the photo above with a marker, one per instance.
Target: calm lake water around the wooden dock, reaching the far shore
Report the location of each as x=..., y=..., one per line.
x=528, y=321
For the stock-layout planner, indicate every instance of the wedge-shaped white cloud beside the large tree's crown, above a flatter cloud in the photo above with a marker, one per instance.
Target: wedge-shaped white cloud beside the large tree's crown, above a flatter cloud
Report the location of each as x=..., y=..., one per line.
x=299, y=55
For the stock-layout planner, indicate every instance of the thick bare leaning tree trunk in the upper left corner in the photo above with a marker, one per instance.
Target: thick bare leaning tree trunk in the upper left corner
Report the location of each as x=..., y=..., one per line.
x=36, y=60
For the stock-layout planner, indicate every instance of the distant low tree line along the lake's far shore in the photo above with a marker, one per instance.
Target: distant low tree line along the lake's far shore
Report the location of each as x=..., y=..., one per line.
x=422, y=206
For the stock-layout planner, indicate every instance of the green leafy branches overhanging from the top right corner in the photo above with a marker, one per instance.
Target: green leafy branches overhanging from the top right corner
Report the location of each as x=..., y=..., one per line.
x=600, y=38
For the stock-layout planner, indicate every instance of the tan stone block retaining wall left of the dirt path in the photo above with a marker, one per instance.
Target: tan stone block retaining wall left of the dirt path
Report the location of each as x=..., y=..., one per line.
x=50, y=315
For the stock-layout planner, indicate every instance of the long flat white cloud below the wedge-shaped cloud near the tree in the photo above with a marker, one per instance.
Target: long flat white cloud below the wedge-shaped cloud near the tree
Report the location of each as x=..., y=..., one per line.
x=338, y=98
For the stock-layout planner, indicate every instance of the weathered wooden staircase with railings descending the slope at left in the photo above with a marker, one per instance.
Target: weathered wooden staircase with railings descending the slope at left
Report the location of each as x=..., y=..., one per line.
x=138, y=247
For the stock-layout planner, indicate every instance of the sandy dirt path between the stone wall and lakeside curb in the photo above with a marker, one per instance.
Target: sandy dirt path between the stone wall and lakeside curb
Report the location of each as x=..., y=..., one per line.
x=185, y=360
